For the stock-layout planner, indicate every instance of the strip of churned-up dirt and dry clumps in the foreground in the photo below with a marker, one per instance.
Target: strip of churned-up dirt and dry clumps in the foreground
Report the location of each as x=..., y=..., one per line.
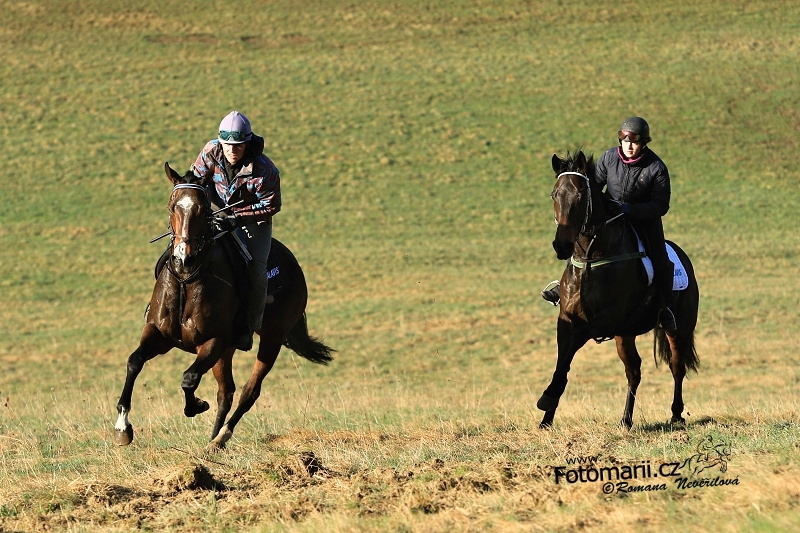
x=288, y=489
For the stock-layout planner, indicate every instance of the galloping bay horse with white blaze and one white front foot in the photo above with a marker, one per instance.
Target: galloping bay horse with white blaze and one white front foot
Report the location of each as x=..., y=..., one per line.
x=193, y=307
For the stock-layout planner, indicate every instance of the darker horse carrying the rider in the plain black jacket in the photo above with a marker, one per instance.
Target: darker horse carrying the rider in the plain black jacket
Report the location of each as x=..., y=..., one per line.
x=604, y=290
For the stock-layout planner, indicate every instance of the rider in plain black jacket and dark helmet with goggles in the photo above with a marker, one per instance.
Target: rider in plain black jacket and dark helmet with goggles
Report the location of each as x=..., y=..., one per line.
x=637, y=180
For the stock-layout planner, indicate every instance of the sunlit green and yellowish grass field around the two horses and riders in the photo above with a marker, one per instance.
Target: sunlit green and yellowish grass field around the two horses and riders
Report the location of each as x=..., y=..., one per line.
x=414, y=141
